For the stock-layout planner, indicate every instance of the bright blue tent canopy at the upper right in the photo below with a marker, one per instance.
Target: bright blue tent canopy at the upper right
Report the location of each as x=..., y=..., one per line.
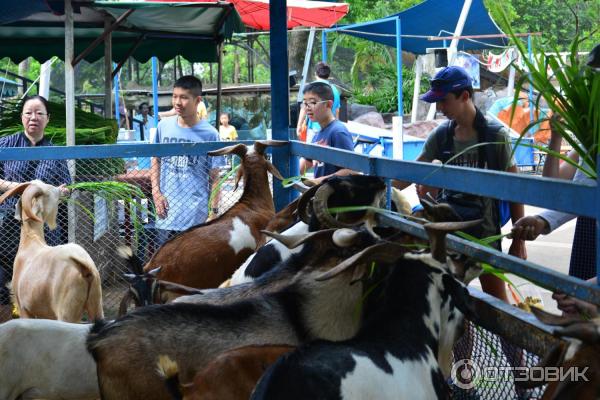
x=431, y=18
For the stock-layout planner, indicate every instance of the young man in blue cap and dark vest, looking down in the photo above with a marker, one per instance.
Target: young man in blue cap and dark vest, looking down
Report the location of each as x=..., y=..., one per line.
x=452, y=143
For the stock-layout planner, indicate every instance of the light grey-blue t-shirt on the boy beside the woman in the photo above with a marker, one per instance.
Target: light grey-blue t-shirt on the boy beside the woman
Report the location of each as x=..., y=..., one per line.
x=184, y=180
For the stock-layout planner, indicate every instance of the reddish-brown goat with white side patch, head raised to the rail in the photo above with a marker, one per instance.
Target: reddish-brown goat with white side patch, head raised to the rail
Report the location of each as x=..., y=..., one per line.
x=206, y=255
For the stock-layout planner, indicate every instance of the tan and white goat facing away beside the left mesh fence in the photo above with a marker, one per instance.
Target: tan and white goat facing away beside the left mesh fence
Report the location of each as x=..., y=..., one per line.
x=58, y=282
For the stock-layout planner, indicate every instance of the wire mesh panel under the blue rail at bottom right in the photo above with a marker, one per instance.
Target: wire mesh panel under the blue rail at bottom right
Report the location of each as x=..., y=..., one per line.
x=490, y=359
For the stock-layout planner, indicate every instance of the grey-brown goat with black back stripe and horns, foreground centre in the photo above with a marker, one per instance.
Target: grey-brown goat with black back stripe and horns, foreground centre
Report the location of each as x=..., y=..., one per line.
x=297, y=311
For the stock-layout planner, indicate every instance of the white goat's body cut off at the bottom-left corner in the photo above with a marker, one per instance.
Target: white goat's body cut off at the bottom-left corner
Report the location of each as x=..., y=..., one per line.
x=46, y=359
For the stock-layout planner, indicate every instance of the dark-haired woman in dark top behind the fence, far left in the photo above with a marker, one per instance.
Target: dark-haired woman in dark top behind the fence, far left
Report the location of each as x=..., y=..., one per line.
x=34, y=116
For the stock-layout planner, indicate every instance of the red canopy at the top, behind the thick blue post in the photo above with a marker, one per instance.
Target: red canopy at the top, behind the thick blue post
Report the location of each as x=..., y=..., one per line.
x=318, y=14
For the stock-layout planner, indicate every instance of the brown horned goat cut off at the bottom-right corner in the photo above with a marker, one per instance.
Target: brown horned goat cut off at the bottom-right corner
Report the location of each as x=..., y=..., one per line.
x=581, y=351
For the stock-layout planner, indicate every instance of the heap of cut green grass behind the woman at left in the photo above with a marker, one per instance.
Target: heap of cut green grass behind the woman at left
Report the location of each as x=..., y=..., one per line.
x=89, y=128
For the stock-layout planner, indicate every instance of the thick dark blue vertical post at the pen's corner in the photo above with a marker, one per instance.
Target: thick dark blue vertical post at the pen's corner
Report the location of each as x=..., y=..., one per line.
x=280, y=97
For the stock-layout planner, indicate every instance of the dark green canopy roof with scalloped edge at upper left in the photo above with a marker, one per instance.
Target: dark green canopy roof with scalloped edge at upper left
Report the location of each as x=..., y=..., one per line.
x=164, y=30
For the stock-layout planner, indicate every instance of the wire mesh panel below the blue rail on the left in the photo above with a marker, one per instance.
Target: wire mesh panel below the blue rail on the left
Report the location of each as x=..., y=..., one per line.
x=100, y=225
